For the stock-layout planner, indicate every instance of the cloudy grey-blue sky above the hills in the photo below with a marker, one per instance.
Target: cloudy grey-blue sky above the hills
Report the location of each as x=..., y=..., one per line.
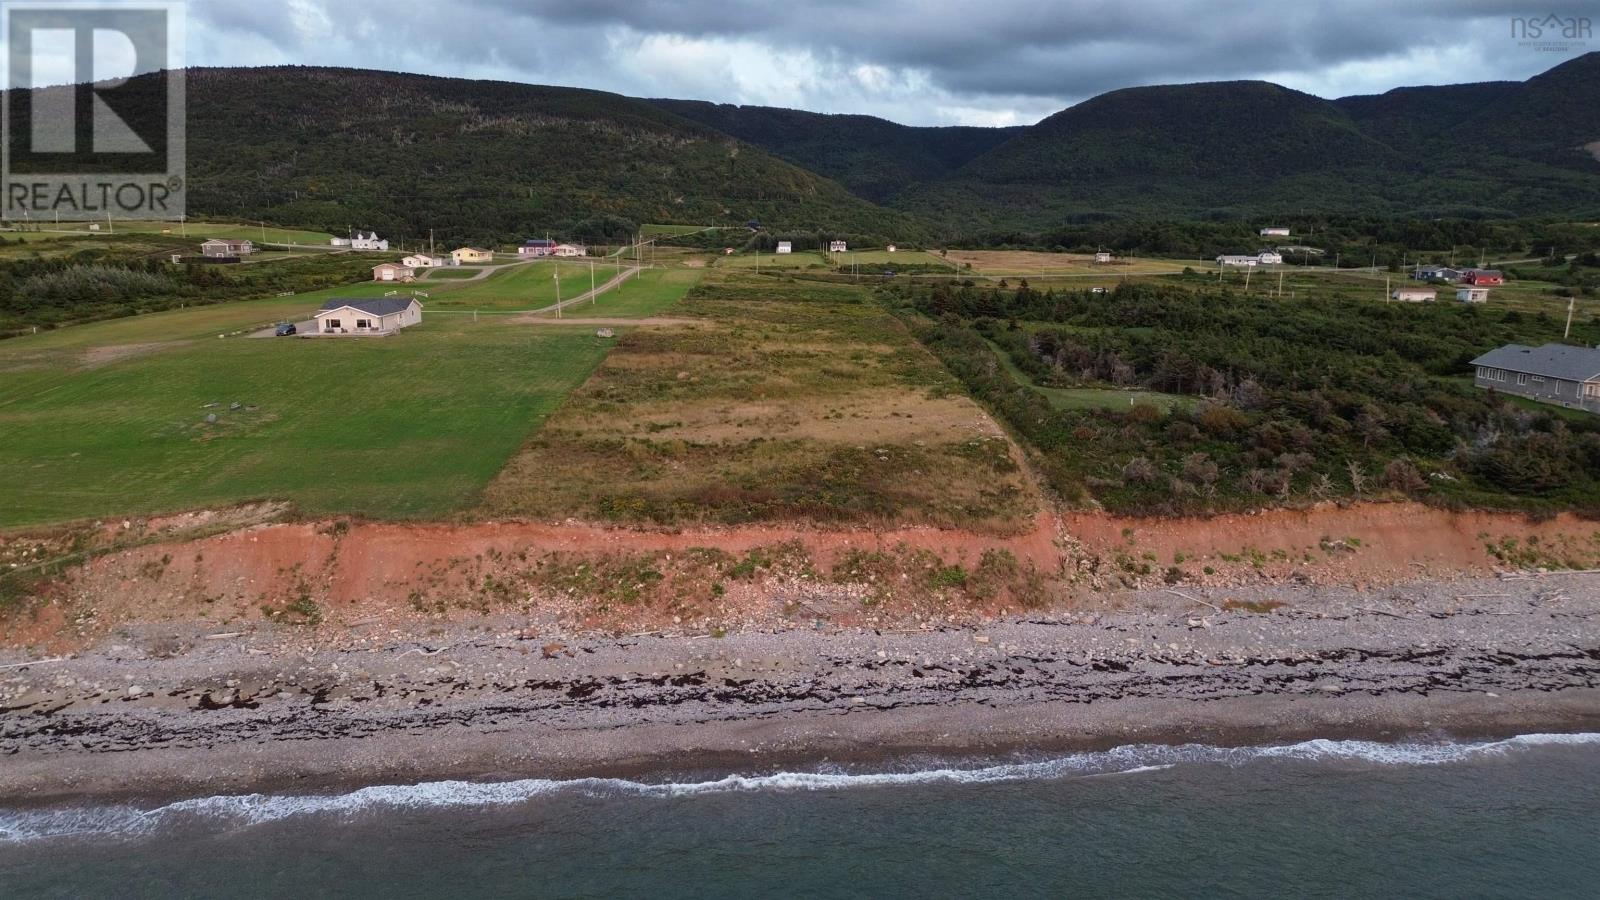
x=914, y=62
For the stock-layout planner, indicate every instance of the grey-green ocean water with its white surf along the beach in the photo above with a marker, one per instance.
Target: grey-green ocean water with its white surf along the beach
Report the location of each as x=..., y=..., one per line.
x=1321, y=819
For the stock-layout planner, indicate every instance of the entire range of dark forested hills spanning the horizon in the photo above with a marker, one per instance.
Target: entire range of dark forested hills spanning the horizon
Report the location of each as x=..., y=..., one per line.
x=495, y=161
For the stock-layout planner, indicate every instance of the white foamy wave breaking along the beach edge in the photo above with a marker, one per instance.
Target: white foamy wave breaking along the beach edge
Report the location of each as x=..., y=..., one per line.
x=255, y=810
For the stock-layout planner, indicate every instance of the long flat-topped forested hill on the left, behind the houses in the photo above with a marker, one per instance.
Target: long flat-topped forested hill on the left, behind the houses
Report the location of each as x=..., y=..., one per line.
x=482, y=161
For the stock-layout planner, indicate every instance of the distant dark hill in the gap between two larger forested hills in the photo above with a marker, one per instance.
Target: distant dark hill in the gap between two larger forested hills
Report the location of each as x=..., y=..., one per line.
x=873, y=158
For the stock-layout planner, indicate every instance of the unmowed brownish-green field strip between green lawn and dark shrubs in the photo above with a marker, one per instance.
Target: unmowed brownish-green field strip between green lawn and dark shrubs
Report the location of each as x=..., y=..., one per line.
x=786, y=401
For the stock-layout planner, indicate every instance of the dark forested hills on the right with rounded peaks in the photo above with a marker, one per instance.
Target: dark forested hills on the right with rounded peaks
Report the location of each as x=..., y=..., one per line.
x=1241, y=148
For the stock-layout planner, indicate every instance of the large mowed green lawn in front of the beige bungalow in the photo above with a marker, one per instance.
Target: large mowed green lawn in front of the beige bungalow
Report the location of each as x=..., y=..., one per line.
x=406, y=427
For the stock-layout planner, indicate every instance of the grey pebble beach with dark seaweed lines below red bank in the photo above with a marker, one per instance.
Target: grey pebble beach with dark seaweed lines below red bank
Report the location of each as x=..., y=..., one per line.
x=161, y=715
